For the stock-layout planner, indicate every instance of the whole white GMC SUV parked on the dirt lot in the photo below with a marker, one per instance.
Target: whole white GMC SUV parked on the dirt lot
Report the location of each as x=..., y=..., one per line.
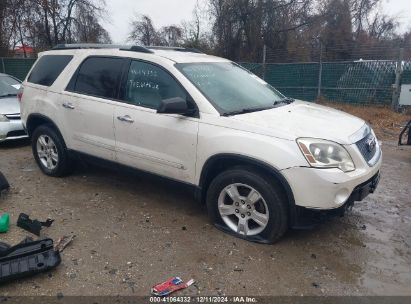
x=261, y=162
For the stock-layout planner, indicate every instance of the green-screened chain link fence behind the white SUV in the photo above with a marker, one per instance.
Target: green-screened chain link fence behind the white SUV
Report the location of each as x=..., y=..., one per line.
x=357, y=82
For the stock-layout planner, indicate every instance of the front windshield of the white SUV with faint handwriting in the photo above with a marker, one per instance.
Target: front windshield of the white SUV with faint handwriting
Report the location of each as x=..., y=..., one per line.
x=230, y=88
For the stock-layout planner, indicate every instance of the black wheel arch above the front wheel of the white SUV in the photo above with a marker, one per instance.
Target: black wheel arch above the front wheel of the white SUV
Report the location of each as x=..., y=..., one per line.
x=220, y=163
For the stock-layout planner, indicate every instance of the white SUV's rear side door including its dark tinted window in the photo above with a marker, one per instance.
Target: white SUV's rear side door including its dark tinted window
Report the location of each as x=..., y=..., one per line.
x=88, y=105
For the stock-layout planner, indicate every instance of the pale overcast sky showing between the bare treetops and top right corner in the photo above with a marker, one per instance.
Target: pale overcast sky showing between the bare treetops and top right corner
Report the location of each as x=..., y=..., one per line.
x=165, y=12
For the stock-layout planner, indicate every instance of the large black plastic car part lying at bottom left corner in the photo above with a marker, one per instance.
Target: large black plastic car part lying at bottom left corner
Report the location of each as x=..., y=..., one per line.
x=26, y=259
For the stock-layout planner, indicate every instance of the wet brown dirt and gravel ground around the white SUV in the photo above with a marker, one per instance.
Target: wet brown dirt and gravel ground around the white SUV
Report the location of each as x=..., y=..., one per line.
x=133, y=231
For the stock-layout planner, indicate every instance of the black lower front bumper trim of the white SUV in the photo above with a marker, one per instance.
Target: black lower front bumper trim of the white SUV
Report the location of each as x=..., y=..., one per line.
x=309, y=218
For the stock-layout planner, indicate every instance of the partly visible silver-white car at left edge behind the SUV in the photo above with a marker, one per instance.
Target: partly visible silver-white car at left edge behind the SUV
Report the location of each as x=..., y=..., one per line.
x=10, y=121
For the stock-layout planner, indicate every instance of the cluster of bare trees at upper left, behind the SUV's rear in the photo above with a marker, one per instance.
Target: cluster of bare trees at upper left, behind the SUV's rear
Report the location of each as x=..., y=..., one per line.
x=45, y=23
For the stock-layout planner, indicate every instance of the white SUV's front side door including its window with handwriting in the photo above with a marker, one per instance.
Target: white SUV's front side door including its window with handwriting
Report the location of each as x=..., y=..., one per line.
x=164, y=144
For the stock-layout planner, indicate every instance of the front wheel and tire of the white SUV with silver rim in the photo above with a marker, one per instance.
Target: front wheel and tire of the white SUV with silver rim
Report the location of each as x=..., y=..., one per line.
x=248, y=205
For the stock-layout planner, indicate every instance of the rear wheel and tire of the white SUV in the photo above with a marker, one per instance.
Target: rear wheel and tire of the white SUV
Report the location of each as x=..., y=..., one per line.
x=50, y=152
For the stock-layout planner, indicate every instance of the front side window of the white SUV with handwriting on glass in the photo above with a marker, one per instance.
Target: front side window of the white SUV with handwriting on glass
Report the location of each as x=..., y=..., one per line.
x=147, y=85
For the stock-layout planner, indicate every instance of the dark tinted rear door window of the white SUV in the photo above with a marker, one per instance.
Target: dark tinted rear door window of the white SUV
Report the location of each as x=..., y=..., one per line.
x=99, y=76
